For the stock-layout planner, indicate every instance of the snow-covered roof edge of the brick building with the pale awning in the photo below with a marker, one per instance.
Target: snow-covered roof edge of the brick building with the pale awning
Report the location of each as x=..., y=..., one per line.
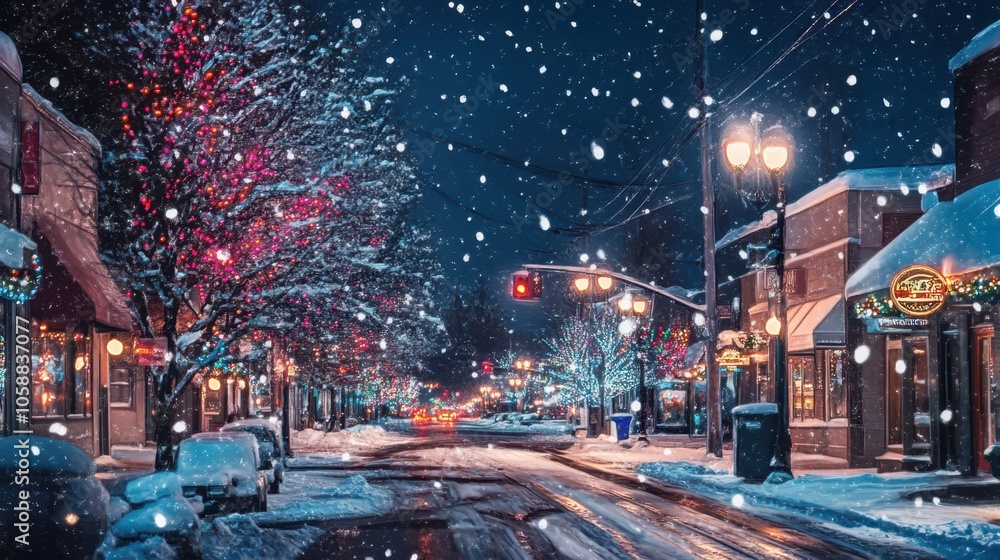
x=932, y=177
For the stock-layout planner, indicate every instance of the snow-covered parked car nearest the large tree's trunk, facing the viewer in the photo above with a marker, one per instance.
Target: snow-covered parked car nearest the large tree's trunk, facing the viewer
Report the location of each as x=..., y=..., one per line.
x=225, y=470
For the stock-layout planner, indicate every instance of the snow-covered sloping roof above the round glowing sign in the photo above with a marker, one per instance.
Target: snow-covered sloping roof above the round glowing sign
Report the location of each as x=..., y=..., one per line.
x=955, y=237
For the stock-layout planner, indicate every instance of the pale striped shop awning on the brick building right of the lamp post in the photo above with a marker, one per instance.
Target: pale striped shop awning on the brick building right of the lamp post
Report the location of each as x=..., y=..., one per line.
x=817, y=324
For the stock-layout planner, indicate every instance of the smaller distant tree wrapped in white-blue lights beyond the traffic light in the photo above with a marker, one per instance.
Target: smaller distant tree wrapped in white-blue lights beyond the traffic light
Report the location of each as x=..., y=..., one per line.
x=577, y=353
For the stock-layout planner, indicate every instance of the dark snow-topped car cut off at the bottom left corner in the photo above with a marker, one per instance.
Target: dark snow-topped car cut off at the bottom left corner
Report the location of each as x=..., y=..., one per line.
x=50, y=498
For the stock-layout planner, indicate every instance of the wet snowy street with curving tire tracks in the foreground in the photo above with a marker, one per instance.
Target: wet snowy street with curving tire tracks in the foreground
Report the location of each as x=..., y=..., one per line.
x=451, y=495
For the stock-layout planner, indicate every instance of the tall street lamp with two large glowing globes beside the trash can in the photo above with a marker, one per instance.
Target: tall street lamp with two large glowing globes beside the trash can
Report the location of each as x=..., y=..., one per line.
x=745, y=147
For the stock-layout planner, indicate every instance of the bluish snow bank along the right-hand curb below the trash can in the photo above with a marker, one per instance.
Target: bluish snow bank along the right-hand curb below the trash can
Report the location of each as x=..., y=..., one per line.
x=866, y=503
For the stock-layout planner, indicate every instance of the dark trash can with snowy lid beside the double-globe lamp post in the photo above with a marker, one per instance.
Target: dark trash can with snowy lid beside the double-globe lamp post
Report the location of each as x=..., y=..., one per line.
x=755, y=434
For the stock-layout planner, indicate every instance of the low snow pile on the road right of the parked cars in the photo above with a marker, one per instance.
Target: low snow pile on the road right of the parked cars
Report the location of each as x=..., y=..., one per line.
x=309, y=496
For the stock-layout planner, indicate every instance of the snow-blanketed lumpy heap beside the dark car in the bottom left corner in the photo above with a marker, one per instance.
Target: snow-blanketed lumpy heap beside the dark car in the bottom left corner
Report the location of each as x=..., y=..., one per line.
x=157, y=509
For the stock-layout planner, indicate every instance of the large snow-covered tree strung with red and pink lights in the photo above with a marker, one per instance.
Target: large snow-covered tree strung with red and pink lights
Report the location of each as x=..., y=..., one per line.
x=240, y=195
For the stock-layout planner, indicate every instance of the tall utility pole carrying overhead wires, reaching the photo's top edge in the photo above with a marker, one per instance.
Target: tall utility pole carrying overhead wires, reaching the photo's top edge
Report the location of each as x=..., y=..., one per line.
x=713, y=444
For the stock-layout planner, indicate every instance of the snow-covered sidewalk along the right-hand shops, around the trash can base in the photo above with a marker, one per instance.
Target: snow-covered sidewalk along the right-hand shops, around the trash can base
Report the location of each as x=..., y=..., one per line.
x=941, y=511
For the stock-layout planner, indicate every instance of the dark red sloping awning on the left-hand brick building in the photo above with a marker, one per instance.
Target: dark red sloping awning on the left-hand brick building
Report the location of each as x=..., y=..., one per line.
x=76, y=249
